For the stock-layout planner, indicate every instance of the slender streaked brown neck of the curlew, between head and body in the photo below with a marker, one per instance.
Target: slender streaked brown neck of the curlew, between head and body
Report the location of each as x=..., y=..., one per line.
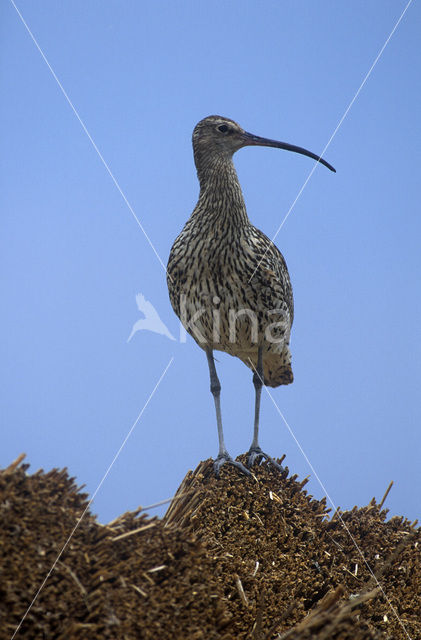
x=221, y=200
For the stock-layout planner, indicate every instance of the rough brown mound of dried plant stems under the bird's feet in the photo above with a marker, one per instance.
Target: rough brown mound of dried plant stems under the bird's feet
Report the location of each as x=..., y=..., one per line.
x=233, y=558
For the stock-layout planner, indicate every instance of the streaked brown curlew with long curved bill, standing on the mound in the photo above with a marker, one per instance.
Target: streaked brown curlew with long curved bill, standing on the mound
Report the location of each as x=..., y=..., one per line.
x=227, y=281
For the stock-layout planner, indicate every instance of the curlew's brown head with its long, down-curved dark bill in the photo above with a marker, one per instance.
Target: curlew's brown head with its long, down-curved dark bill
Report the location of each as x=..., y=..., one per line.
x=222, y=136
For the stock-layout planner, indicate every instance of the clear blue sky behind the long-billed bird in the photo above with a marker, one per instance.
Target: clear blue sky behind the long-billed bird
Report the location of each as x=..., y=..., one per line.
x=73, y=257
